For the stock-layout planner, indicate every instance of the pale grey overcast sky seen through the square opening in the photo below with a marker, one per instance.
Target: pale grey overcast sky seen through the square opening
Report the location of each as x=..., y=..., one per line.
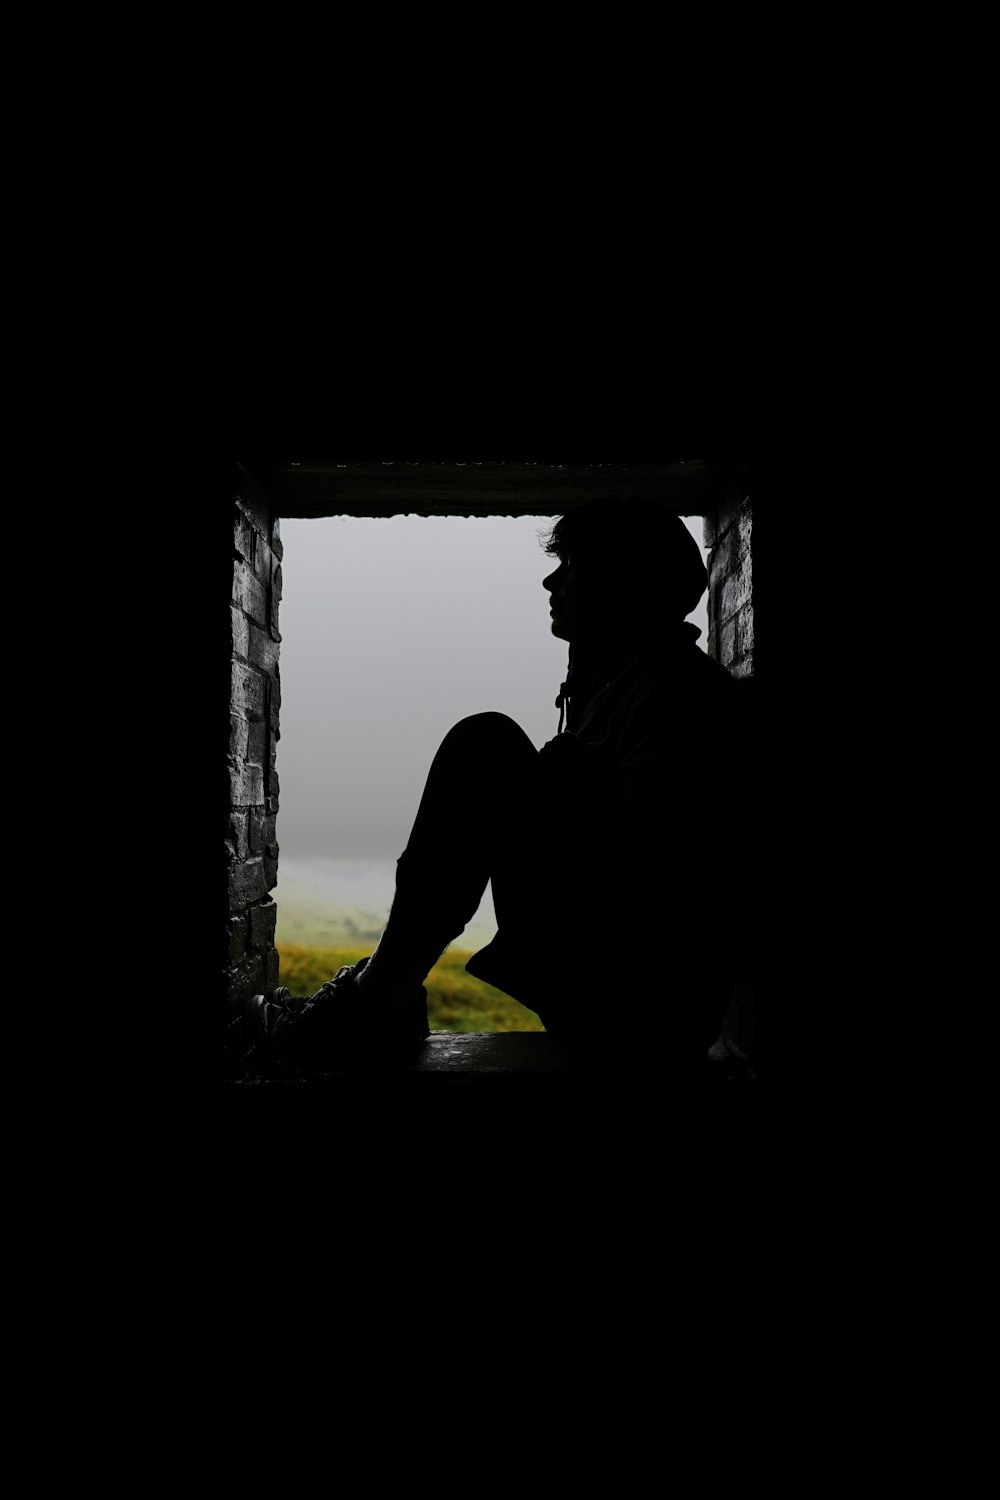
x=392, y=631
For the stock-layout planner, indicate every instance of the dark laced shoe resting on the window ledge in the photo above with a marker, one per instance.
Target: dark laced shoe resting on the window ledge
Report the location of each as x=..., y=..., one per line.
x=335, y=1027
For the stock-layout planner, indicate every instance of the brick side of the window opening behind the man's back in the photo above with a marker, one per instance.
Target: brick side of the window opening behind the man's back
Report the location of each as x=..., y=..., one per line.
x=731, y=640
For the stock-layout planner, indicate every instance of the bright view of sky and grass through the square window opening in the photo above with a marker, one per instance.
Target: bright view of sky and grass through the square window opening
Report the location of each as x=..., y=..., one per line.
x=392, y=631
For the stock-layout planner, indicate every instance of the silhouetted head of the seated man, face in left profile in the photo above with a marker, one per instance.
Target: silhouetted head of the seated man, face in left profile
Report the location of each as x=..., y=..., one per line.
x=627, y=568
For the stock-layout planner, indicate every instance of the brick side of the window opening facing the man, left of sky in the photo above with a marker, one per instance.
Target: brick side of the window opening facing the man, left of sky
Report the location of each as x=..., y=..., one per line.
x=254, y=707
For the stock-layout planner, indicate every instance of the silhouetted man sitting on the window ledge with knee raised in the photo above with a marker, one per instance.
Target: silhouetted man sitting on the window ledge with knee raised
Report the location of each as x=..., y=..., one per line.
x=600, y=845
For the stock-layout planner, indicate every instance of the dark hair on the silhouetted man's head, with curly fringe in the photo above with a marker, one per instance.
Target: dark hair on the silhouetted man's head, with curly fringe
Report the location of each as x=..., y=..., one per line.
x=642, y=535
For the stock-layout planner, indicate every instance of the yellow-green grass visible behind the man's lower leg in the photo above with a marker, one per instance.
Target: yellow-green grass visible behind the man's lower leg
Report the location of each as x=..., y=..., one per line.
x=455, y=1000
